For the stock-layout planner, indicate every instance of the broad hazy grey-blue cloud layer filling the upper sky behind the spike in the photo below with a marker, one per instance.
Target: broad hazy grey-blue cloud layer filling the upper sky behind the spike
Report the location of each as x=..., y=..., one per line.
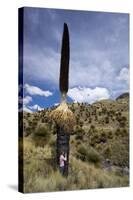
x=94, y=60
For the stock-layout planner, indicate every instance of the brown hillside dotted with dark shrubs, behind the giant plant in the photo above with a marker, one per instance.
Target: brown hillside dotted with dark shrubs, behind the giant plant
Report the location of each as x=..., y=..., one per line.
x=103, y=125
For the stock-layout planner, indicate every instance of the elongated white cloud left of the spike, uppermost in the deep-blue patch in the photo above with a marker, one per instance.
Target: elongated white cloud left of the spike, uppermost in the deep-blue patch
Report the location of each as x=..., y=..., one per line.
x=33, y=90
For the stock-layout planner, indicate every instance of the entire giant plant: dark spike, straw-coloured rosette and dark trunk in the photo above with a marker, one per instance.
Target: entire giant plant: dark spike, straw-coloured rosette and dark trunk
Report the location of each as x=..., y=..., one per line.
x=62, y=115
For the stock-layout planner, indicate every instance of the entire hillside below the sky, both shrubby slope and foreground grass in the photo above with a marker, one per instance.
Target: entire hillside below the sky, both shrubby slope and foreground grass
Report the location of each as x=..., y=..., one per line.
x=99, y=148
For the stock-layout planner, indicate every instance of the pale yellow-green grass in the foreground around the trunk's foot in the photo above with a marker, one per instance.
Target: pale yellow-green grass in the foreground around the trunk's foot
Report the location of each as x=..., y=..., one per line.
x=40, y=176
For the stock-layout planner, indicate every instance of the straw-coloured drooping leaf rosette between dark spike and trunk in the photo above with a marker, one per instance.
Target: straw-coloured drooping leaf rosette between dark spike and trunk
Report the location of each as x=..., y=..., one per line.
x=64, y=117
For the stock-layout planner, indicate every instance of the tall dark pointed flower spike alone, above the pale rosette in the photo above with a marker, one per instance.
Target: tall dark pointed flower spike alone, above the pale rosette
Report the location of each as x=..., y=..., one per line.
x=64, y=66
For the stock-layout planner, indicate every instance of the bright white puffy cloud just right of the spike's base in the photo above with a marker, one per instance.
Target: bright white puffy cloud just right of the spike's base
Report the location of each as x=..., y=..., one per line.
x=84, y=94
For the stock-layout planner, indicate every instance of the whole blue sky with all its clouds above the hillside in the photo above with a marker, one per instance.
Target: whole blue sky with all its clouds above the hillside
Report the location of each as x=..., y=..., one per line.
x=99, y=61
